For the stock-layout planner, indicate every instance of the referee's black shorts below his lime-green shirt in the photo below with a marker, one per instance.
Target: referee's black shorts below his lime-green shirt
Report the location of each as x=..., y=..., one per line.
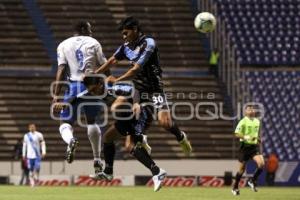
x=247, y=152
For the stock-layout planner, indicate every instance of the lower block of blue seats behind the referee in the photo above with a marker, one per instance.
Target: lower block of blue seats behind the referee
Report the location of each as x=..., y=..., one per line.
x=278, y=91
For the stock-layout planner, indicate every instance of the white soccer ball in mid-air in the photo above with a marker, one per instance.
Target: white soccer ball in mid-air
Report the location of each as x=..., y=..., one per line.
x=205, y=22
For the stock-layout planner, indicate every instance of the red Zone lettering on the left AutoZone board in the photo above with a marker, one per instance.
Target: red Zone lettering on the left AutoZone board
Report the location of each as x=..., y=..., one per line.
x=87, y=181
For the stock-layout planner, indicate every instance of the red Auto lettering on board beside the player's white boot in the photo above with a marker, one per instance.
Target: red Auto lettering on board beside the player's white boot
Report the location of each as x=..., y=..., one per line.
x=176, y=182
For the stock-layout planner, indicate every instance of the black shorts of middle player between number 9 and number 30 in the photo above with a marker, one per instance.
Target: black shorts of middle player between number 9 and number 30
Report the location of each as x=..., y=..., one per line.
x=135, y=126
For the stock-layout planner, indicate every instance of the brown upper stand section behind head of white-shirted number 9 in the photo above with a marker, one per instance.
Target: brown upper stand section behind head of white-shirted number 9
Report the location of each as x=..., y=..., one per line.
x=94, y=11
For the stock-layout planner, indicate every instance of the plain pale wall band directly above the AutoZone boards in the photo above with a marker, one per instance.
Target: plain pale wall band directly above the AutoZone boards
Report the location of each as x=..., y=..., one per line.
x=129, y=167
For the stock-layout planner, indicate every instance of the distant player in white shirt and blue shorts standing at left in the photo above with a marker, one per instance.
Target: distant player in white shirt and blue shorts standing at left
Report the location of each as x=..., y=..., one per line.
x=34, y=149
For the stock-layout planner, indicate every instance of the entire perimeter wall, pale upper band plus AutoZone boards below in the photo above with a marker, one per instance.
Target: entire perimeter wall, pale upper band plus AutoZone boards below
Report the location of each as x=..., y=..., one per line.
x=191, y=172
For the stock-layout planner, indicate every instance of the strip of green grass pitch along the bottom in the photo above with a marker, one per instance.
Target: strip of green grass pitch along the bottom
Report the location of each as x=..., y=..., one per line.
x=143, y=193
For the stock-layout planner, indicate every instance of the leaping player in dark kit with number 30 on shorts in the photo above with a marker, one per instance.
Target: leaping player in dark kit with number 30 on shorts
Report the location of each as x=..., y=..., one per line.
x=146, y=74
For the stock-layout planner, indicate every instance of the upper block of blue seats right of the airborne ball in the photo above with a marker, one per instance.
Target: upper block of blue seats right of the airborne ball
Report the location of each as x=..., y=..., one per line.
x=265, y=32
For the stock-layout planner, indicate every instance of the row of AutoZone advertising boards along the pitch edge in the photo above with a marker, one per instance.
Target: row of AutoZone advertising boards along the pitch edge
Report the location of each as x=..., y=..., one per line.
x=170, y=181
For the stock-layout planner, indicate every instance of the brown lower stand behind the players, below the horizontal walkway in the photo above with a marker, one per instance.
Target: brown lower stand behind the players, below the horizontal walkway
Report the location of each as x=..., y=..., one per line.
x=22, y=105
